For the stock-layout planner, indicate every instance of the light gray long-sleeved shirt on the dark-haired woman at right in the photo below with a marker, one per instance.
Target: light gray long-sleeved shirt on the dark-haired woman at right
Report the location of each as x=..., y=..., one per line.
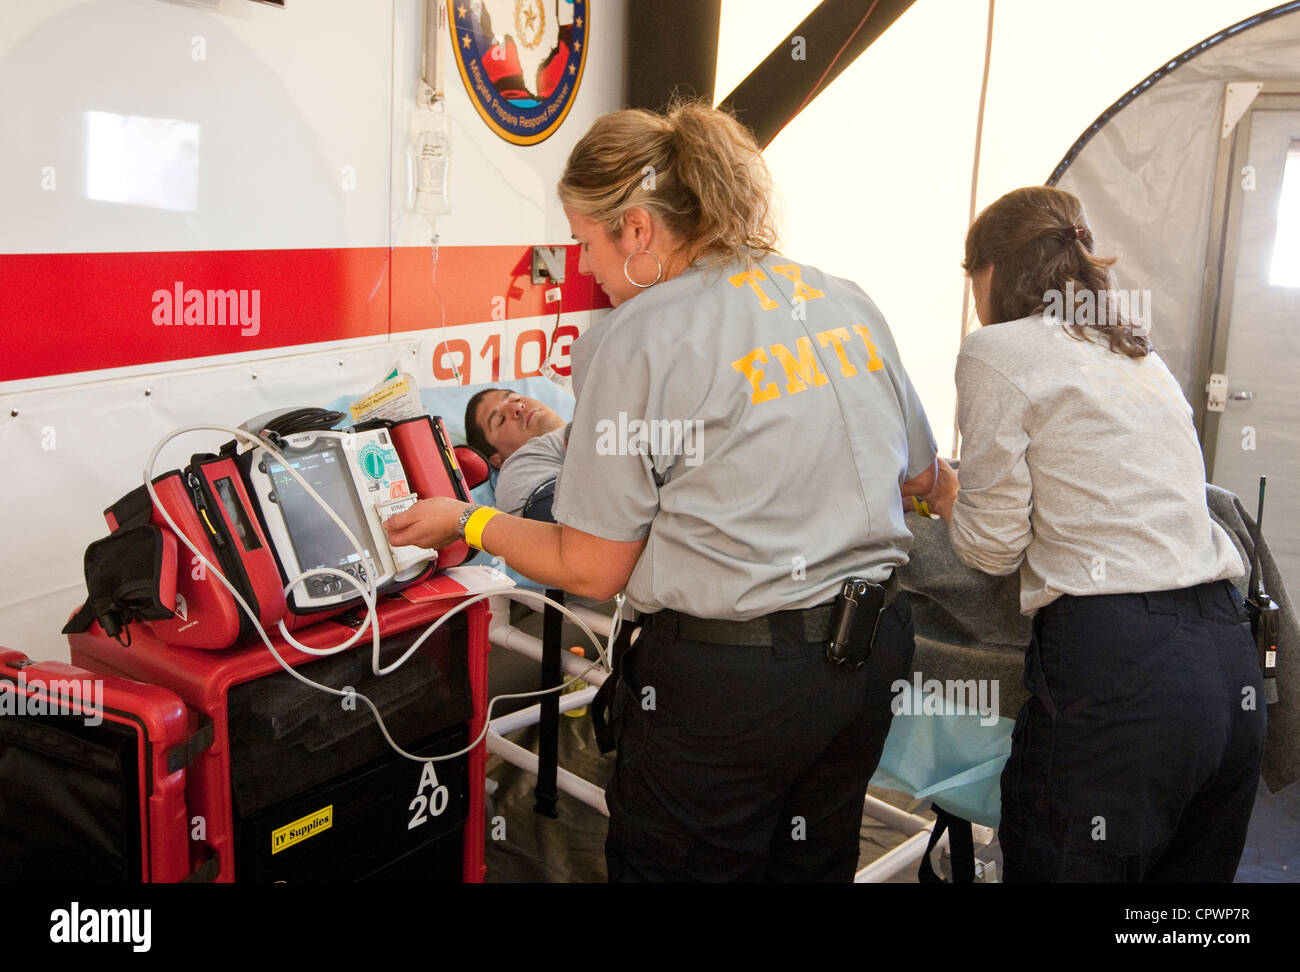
x=1081, y=467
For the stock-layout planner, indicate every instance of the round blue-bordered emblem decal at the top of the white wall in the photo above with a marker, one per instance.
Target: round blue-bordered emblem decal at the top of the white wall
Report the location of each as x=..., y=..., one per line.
x=522, y=62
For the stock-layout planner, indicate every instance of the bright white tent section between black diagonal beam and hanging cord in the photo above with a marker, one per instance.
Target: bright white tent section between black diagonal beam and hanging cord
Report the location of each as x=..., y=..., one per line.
x=876, y=179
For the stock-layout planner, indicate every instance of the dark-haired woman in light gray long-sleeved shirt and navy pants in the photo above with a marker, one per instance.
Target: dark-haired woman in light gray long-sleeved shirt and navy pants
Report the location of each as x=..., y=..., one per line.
x=1138, y=754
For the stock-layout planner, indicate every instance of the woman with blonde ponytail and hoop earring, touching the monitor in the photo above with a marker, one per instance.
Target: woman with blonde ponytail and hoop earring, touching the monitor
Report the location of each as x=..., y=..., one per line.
x=743, y=432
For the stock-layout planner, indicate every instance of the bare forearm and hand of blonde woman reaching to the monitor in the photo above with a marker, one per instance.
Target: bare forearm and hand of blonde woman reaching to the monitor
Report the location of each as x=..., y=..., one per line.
x=557, y=557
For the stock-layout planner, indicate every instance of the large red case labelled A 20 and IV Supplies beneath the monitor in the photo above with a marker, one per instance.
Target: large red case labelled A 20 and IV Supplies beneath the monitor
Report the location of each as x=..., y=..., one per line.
x=229, y=775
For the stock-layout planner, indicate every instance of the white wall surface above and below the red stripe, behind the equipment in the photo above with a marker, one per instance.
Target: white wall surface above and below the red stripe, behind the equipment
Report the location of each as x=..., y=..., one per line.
x=289, y=102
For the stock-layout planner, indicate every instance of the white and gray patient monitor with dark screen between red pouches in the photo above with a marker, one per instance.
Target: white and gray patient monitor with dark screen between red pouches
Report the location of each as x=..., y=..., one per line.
x=361, y=478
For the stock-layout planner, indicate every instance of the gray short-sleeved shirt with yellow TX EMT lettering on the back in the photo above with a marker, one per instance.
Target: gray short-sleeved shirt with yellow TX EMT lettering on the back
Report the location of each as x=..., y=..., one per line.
x=757, y=453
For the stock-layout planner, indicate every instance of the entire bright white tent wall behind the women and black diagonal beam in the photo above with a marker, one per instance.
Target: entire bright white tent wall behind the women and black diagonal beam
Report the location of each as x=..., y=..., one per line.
x=877, y=171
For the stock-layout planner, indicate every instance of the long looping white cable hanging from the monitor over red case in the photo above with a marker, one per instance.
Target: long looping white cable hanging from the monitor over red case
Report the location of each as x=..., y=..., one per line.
x=367, y=596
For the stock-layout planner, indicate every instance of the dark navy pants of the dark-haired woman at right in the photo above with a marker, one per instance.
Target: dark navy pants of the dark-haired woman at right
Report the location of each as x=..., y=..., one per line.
x=1138, y=754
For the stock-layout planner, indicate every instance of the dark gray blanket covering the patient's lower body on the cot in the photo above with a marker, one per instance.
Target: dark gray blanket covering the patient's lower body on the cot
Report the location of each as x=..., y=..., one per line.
x=969, y=626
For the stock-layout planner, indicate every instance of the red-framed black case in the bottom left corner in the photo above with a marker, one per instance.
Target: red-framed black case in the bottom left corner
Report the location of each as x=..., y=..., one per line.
x=92, y=789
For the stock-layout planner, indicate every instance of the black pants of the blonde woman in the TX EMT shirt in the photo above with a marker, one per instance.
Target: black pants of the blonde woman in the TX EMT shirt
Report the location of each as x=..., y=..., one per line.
x=746, y=763
